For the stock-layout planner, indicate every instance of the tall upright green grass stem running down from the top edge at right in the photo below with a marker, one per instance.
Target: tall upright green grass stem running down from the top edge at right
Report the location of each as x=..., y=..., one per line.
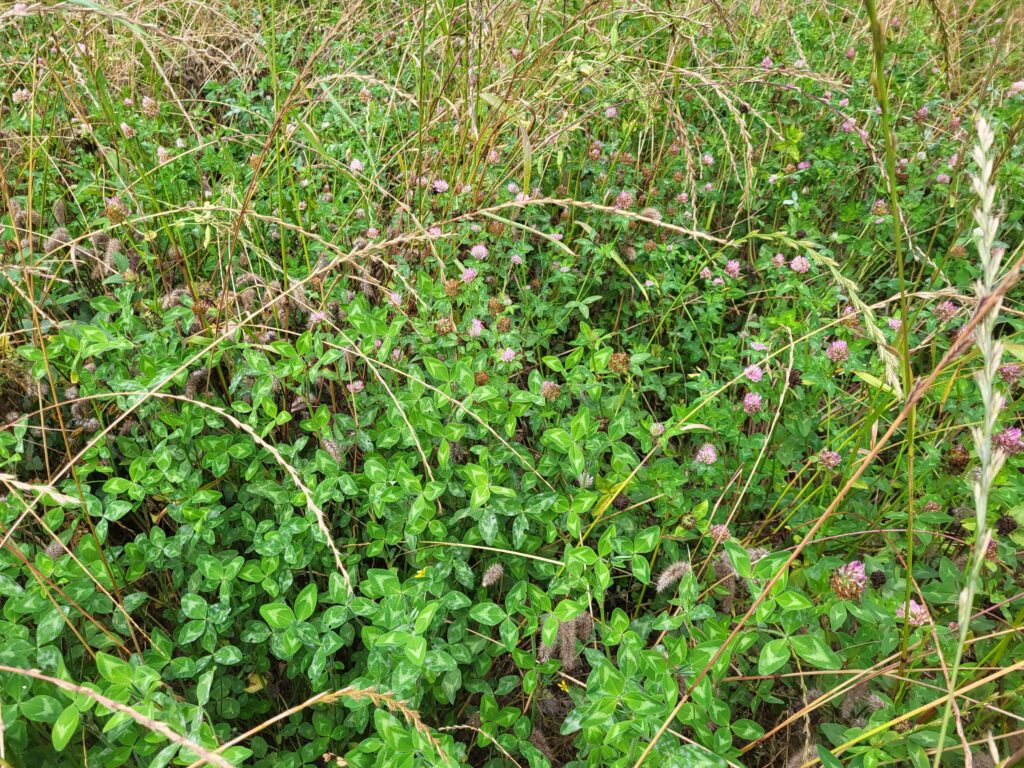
x=882, y=94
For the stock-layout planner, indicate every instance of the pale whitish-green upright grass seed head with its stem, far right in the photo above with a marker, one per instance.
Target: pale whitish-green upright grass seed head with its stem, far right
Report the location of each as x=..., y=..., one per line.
x=991, y=459
